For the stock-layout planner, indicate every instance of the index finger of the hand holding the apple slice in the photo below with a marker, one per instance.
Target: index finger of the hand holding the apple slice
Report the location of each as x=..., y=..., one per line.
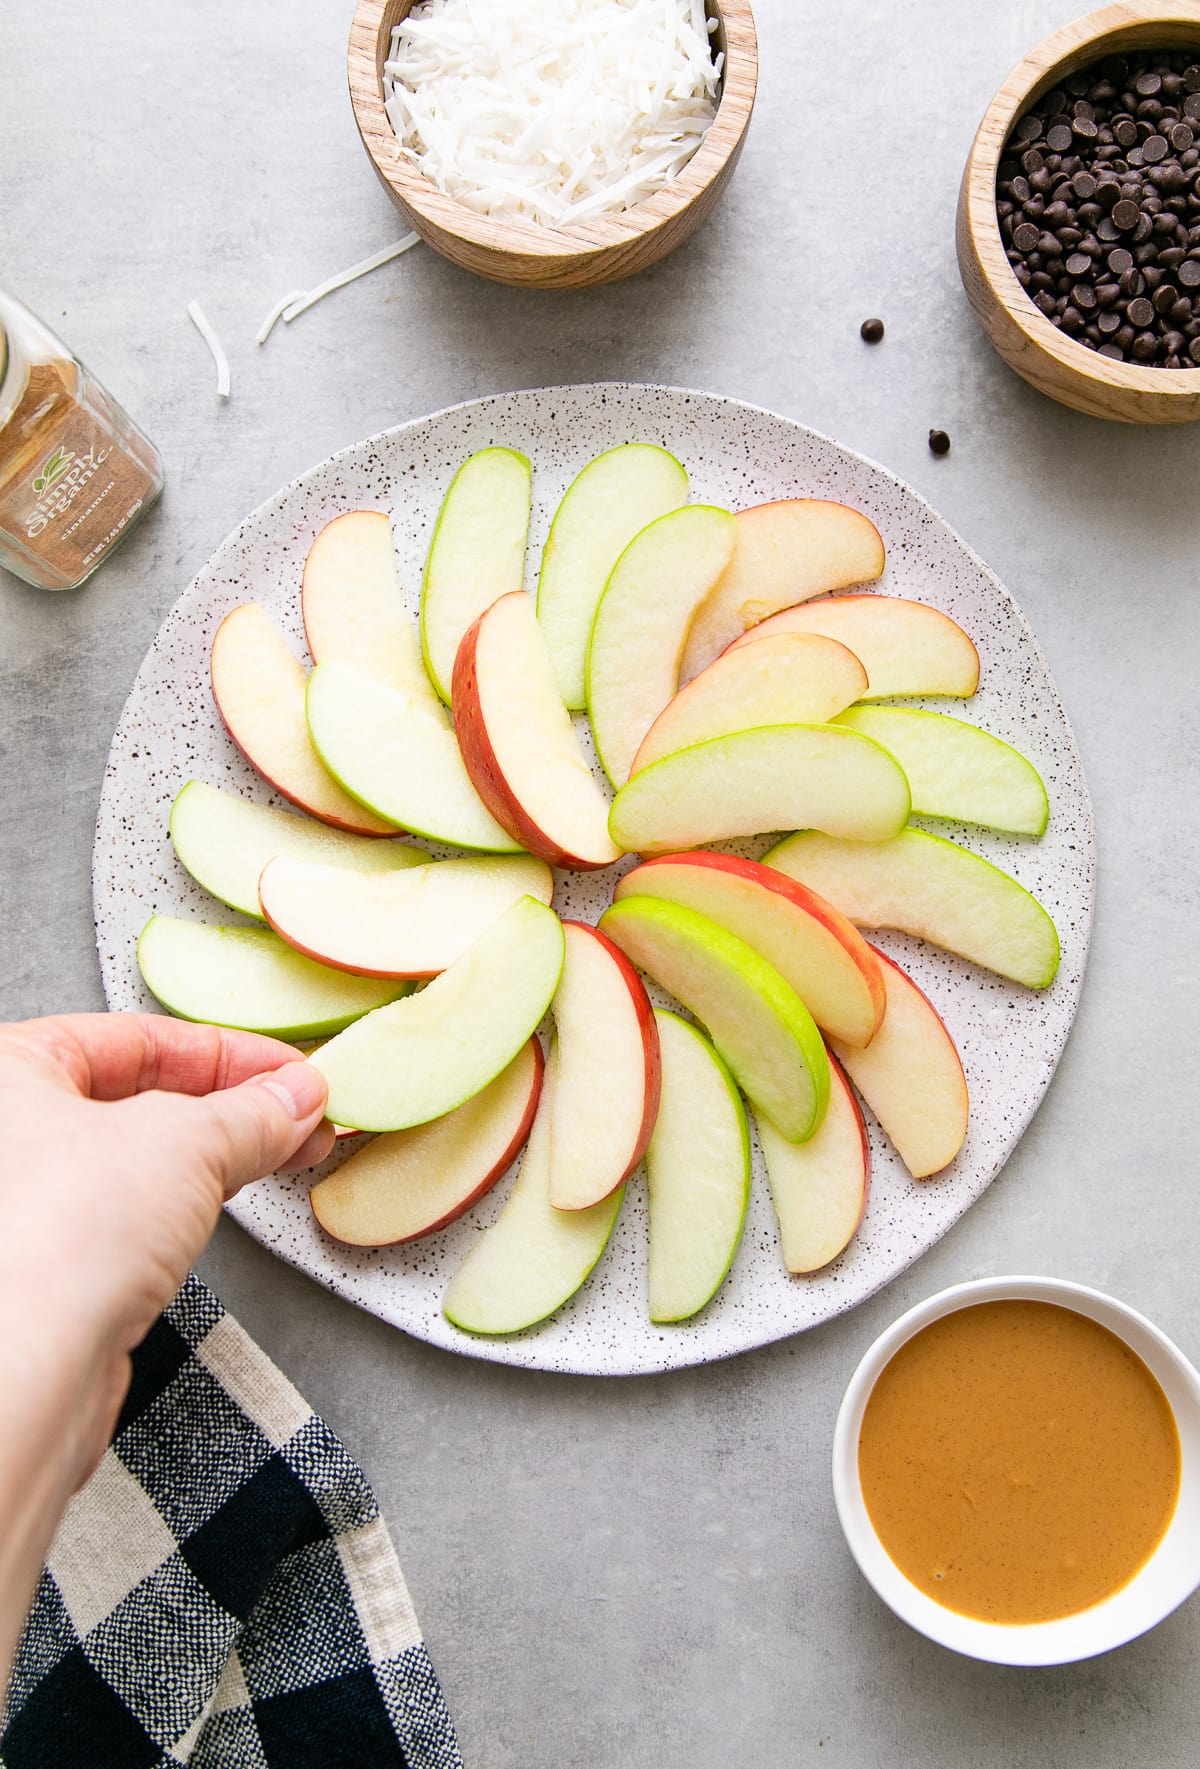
x=111, y=1057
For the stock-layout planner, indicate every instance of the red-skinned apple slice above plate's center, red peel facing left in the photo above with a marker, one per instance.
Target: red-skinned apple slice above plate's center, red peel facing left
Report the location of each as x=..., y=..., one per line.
x=519, y=744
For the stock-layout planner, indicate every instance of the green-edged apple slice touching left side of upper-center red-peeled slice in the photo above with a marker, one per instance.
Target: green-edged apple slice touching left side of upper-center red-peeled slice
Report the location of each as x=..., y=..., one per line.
x=392, y=749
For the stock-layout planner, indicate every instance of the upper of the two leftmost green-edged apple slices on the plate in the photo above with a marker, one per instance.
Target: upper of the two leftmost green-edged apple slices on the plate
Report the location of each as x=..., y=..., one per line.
x=226, y=843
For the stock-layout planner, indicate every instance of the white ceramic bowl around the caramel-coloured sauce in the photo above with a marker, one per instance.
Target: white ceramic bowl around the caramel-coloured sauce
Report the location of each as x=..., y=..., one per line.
x=1169, y=1577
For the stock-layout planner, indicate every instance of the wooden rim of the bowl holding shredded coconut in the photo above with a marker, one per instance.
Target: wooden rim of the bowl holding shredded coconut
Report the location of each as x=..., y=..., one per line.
x=527, y=240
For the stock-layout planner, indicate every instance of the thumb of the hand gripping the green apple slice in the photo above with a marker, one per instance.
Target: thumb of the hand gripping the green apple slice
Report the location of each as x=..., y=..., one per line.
x=259, y=1126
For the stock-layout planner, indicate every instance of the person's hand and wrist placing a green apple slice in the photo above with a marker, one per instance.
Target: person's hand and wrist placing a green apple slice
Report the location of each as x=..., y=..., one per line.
x=121, y=1137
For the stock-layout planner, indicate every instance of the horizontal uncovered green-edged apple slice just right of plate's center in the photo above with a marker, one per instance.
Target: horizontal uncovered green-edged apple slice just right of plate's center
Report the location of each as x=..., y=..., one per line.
x=780, y=777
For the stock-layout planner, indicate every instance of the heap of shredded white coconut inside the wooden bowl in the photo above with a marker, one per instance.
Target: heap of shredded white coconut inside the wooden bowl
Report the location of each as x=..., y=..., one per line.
x=557, y=112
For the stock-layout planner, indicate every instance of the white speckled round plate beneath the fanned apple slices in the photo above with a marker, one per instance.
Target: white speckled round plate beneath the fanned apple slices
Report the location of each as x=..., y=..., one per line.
x=737, y=456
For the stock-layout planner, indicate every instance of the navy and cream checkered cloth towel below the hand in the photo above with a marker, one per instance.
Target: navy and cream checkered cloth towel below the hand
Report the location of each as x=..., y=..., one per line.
x=222, y=1593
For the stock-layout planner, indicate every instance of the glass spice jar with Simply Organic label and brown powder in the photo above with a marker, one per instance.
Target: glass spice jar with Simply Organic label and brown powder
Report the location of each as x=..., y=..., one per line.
x=75, y=471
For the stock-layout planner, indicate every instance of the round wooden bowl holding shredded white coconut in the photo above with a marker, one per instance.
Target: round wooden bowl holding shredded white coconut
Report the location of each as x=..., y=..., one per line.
x=542, y=257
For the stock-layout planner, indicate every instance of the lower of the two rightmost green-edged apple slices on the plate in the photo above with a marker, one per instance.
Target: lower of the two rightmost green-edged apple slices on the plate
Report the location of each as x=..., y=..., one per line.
x=928, y=887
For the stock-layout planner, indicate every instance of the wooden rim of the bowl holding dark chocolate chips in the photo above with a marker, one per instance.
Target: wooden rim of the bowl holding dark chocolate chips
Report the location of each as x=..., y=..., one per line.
x=1038, y=73
